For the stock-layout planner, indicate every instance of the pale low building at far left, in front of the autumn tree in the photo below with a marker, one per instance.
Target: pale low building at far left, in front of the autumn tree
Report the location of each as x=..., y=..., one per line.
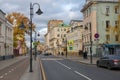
x=6, y=37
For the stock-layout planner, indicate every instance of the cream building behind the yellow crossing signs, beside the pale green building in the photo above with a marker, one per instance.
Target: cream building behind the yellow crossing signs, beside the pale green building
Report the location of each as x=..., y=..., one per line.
x=74, y=37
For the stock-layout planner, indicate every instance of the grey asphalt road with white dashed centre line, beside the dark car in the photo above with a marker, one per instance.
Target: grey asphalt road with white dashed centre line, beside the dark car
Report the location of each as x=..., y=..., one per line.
x=63, y=69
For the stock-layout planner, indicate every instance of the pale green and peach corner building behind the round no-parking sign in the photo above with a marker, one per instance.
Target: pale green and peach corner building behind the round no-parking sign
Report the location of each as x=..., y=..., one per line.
x=100, y=21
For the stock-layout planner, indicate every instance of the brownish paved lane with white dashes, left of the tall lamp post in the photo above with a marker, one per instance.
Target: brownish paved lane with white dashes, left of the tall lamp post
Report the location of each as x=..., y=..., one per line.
x=14, y=71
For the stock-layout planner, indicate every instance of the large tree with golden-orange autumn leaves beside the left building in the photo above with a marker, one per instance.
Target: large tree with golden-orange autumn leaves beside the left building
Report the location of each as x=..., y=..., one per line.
x=16, y=19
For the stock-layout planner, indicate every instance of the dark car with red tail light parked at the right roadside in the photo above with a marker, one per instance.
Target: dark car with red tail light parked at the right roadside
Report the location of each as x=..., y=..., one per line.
x=110, y=61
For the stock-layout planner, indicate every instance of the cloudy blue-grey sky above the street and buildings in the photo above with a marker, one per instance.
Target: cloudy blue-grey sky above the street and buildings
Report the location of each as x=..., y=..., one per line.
x=65, y=10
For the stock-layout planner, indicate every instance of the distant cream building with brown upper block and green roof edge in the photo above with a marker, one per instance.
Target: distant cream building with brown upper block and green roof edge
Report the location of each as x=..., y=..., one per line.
x=56, y=37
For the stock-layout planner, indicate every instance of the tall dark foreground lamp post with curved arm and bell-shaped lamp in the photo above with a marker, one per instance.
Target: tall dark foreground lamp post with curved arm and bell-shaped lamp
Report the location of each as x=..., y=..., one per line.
x=39, y=12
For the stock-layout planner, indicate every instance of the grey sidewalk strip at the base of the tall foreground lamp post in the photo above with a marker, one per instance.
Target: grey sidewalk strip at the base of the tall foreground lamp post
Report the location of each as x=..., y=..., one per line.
x=35, y=75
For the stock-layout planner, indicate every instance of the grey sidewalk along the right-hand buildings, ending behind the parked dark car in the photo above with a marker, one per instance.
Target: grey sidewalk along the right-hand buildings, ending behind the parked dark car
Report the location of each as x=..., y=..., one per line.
x=81, y=60
